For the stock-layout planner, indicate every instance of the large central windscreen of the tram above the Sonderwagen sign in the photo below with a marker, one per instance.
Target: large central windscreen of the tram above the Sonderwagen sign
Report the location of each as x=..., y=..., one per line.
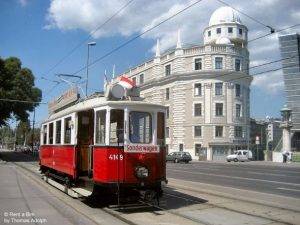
x=140, y=130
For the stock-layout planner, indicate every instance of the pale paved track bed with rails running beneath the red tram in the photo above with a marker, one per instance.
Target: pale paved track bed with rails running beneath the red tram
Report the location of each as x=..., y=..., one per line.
x=178, y=207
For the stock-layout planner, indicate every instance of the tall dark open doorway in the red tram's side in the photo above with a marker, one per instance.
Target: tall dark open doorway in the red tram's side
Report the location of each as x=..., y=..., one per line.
x=84, y=139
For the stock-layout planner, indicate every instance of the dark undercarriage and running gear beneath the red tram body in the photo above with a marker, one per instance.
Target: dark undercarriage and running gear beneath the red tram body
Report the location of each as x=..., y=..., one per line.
x=113, y=193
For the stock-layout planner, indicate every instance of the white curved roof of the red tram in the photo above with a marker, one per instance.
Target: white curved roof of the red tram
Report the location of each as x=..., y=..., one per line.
x=102, y=101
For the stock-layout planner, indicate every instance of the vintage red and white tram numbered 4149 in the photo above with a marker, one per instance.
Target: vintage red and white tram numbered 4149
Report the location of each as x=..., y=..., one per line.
x=105, y=143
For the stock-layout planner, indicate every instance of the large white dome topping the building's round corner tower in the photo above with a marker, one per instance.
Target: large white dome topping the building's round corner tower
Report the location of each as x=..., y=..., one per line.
x=224, y=15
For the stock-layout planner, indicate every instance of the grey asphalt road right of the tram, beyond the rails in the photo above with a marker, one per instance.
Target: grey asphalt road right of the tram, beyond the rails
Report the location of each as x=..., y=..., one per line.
x=274, y=179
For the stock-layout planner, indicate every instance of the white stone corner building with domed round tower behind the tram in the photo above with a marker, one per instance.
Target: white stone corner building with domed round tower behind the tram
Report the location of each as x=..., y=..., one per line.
x=206, y=89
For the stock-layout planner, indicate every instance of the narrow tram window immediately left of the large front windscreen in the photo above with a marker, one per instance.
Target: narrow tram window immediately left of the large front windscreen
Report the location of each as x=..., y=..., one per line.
x=116, y=126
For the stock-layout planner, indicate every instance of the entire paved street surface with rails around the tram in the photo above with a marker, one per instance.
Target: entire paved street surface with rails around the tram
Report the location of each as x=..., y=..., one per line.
x=26, y=198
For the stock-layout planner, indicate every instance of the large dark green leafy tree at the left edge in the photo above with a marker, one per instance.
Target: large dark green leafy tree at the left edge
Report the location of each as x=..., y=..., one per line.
x=16, y=83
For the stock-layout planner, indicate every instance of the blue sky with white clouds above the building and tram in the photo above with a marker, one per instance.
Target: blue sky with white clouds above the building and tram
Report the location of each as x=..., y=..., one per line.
x=42, y=32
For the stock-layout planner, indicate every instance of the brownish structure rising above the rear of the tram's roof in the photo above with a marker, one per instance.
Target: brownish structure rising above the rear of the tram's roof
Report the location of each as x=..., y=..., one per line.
x=65, y=99
